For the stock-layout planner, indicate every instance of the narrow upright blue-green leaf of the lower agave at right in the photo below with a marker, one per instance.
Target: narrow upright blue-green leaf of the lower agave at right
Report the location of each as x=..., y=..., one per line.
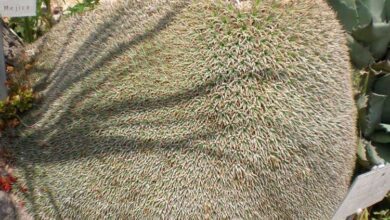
x=375, y=109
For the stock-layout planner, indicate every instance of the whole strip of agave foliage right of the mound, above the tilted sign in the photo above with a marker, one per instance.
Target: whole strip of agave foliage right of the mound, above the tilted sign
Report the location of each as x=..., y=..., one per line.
x=368, y=24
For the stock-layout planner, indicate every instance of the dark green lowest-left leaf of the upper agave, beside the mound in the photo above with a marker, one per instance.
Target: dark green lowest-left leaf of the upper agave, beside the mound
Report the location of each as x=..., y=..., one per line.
x=360, y=55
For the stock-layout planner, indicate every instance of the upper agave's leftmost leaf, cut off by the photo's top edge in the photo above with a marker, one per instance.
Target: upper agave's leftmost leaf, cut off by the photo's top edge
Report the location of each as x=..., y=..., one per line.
x=346, y=12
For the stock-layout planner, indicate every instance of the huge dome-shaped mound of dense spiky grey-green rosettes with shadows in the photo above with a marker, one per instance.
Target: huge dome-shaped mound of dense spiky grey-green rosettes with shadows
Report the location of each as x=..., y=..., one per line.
x=191, y=109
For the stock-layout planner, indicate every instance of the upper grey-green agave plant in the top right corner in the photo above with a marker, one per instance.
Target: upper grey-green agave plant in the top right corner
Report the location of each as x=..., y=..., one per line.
x=367, y=23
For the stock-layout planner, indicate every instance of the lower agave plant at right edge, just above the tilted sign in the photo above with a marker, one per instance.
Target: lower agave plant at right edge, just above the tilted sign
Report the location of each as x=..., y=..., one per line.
x=374, y=119
